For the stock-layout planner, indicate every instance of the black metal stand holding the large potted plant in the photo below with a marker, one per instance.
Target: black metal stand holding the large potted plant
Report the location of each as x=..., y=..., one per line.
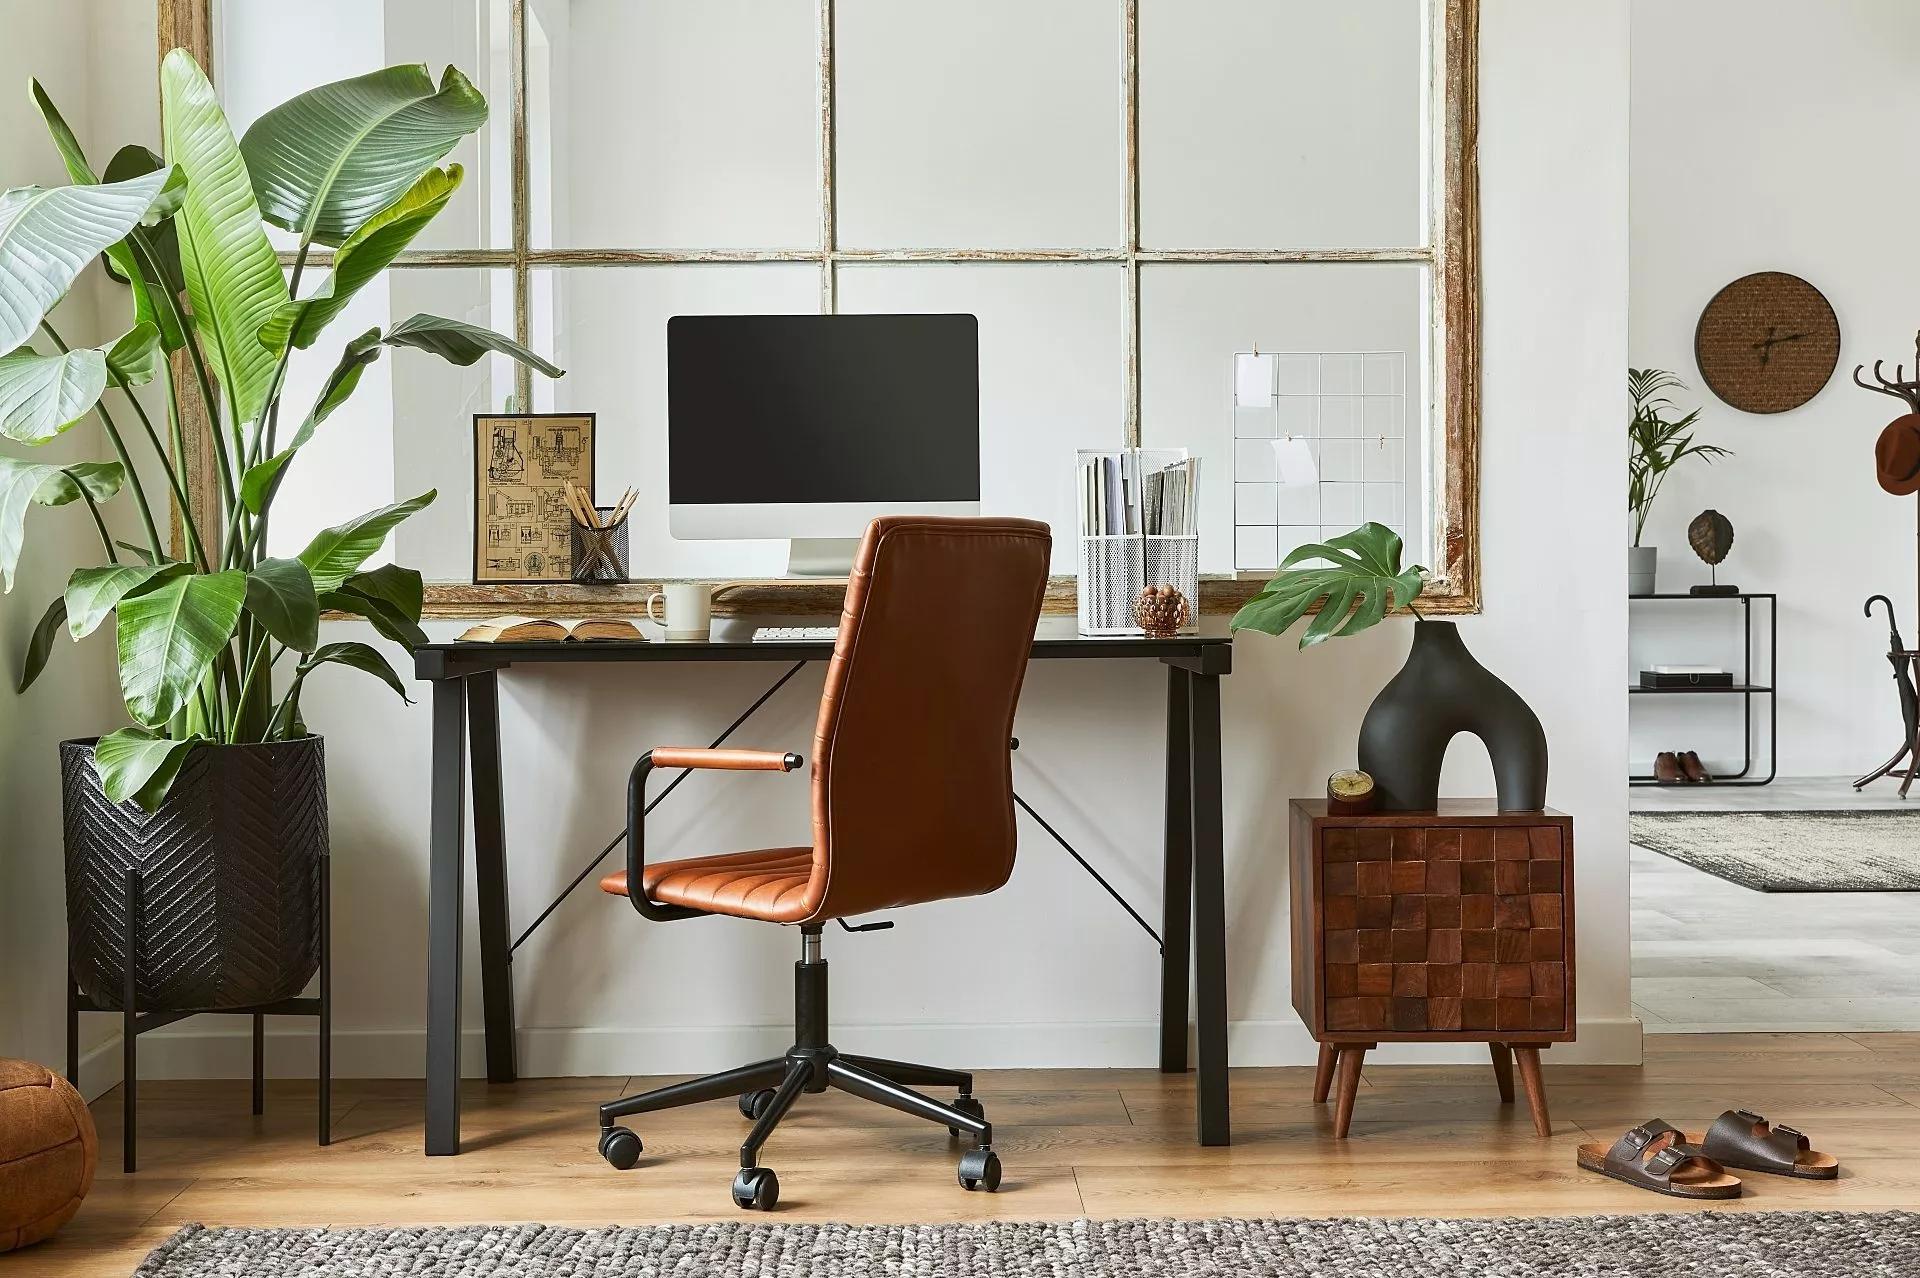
x=135, y=1022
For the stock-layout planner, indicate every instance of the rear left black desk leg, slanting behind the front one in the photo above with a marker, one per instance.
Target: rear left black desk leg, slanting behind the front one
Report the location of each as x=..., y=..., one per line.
x=491, y=874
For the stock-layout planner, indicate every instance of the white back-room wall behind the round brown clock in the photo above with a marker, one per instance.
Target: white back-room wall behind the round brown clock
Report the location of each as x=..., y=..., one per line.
x=1767, y=135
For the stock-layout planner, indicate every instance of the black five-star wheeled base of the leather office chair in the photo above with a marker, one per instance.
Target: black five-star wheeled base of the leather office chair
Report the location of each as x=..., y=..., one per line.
x=767, y=1093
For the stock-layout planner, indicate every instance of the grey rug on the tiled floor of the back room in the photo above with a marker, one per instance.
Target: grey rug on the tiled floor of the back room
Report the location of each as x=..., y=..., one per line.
x=1790, y=851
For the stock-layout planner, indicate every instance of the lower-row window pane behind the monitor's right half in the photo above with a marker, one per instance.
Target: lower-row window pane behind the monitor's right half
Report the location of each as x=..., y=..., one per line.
x=1051, y=371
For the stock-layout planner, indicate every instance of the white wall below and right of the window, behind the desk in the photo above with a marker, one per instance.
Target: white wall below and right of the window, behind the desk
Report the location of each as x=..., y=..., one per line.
x=1047, y=970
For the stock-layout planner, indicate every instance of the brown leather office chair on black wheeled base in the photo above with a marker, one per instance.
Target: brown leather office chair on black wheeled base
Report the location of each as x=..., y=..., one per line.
x=913, y=801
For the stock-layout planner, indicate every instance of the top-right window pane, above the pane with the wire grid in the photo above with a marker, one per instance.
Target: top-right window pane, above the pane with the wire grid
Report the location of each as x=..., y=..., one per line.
x=1284, y=124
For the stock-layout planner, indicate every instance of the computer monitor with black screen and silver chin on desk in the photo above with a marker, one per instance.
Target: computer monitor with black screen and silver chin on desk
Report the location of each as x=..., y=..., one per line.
x=807, y=427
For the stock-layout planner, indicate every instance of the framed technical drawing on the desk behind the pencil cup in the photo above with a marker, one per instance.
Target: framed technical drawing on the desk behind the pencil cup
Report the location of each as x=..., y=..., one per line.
x=523, y=461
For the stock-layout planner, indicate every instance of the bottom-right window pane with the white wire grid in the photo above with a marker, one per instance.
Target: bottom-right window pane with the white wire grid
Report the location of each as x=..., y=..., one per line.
x=1351, y=383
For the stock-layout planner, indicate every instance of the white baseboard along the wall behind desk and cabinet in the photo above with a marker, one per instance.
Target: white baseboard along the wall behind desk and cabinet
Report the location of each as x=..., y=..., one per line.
x=226, y=1053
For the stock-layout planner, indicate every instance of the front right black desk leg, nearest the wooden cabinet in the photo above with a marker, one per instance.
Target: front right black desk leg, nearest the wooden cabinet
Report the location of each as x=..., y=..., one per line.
x=1211, y=912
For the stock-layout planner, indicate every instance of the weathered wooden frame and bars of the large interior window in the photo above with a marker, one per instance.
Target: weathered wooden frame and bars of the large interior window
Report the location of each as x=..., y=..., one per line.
x=1452, y=254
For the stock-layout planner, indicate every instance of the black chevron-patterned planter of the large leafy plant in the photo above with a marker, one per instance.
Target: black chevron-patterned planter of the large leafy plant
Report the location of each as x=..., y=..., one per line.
x=229, y=878
